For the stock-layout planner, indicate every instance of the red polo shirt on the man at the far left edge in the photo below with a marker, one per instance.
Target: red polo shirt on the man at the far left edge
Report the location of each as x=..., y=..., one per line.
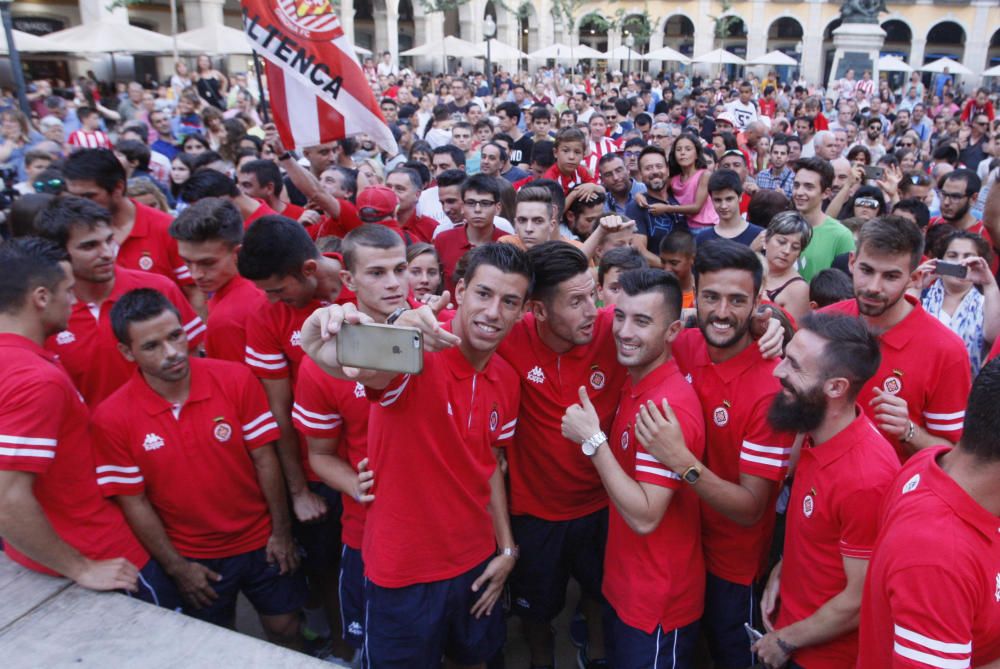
x=43, y=430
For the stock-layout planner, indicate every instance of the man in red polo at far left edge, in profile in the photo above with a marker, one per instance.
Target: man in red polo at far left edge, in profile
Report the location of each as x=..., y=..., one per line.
x=53, y=518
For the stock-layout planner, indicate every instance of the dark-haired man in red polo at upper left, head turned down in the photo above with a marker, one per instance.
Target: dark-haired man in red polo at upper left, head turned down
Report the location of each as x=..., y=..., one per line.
x=140, y=231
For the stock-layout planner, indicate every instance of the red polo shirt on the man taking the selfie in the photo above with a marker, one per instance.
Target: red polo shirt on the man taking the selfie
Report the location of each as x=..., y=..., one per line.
x=430, y=441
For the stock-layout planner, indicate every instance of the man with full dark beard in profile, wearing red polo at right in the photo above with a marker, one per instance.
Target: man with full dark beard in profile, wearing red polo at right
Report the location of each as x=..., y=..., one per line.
x=842, y=475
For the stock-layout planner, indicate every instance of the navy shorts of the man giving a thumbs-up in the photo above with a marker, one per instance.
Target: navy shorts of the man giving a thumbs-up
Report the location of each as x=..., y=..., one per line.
x=663, y=649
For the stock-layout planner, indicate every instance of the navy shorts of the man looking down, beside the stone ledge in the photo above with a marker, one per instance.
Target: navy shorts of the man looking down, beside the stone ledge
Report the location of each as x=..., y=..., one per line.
x=270, y=592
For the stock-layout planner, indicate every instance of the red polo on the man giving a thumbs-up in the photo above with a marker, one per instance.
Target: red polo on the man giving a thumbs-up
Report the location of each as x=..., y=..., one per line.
x=658, y=578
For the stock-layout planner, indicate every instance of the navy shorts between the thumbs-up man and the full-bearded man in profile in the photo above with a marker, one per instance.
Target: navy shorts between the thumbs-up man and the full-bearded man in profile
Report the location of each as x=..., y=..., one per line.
x=728, y=606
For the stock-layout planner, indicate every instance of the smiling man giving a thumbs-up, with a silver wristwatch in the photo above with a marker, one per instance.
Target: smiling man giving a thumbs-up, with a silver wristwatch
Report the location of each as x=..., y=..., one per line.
x=654, y=569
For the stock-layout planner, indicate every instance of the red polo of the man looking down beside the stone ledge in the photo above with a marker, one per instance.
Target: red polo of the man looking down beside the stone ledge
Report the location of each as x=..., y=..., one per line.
x=192, y=462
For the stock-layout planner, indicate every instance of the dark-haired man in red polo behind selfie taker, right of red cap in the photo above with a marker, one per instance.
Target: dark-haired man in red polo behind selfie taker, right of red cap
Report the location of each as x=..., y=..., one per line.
x=481, y=203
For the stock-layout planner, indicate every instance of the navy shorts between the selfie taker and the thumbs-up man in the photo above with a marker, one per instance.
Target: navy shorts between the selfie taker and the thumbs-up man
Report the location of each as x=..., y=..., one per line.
x=551, y=552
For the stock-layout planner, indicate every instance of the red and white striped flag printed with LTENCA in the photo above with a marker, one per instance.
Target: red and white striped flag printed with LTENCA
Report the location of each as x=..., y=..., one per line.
x=316, y=88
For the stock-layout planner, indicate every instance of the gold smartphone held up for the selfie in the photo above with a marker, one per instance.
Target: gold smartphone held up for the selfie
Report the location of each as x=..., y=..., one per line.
x=386, y=348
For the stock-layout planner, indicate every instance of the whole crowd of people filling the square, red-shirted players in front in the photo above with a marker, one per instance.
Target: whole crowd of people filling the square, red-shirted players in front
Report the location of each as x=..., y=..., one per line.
x=716, y=350
